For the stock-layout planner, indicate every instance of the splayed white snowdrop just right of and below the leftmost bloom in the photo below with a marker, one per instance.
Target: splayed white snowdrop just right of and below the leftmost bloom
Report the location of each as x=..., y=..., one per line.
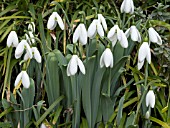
x=20, y=49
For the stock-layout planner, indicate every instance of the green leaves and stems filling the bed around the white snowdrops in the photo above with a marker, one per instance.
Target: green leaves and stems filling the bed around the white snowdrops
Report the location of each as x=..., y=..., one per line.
x=103, y=97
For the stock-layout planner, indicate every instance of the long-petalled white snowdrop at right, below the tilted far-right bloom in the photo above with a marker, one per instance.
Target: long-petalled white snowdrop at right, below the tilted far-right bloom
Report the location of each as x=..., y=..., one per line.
x=144, y=52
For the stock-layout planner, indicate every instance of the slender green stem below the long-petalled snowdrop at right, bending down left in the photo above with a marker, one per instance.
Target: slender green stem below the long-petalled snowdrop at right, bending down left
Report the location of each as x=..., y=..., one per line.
x=143, y=95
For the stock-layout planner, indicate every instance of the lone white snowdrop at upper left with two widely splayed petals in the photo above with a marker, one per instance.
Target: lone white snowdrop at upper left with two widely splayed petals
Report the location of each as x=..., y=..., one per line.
x=53, y=20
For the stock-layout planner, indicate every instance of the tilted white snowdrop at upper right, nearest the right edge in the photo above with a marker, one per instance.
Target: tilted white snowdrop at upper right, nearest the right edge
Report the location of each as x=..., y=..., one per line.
x=154, y=36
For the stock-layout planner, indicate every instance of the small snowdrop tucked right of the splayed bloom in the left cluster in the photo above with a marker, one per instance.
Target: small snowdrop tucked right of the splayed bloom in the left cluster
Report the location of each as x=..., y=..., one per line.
x=35, y=53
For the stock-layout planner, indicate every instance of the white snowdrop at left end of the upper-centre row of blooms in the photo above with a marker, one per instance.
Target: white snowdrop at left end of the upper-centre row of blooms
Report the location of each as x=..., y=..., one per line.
x=80, y=34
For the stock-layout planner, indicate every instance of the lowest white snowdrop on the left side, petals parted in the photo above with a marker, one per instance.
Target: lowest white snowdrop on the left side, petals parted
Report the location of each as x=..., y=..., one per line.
x=24, y=78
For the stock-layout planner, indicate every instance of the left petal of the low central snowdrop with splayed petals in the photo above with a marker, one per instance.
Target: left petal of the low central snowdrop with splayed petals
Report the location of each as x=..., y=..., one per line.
x=72, y=69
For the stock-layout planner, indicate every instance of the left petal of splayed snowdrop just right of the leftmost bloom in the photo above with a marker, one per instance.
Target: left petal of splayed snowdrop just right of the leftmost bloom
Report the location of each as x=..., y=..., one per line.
x=20, y=49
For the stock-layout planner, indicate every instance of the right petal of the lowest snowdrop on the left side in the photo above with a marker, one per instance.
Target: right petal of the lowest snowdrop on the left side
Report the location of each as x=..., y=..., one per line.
x=25, y=79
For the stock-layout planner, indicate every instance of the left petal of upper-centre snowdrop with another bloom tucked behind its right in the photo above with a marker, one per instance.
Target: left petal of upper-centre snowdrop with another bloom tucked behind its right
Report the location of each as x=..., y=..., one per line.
x=92, y=29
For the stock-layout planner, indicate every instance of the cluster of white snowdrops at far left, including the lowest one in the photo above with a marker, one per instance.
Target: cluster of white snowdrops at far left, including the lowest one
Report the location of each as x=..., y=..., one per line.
x=24, y=47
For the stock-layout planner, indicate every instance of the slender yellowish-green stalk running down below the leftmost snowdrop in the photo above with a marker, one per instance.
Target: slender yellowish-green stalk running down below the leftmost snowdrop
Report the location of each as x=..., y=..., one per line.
x=7, y=72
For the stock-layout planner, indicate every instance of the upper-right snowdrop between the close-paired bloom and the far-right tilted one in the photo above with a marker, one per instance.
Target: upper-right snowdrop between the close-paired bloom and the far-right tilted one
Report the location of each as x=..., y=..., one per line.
x=133, y=33
